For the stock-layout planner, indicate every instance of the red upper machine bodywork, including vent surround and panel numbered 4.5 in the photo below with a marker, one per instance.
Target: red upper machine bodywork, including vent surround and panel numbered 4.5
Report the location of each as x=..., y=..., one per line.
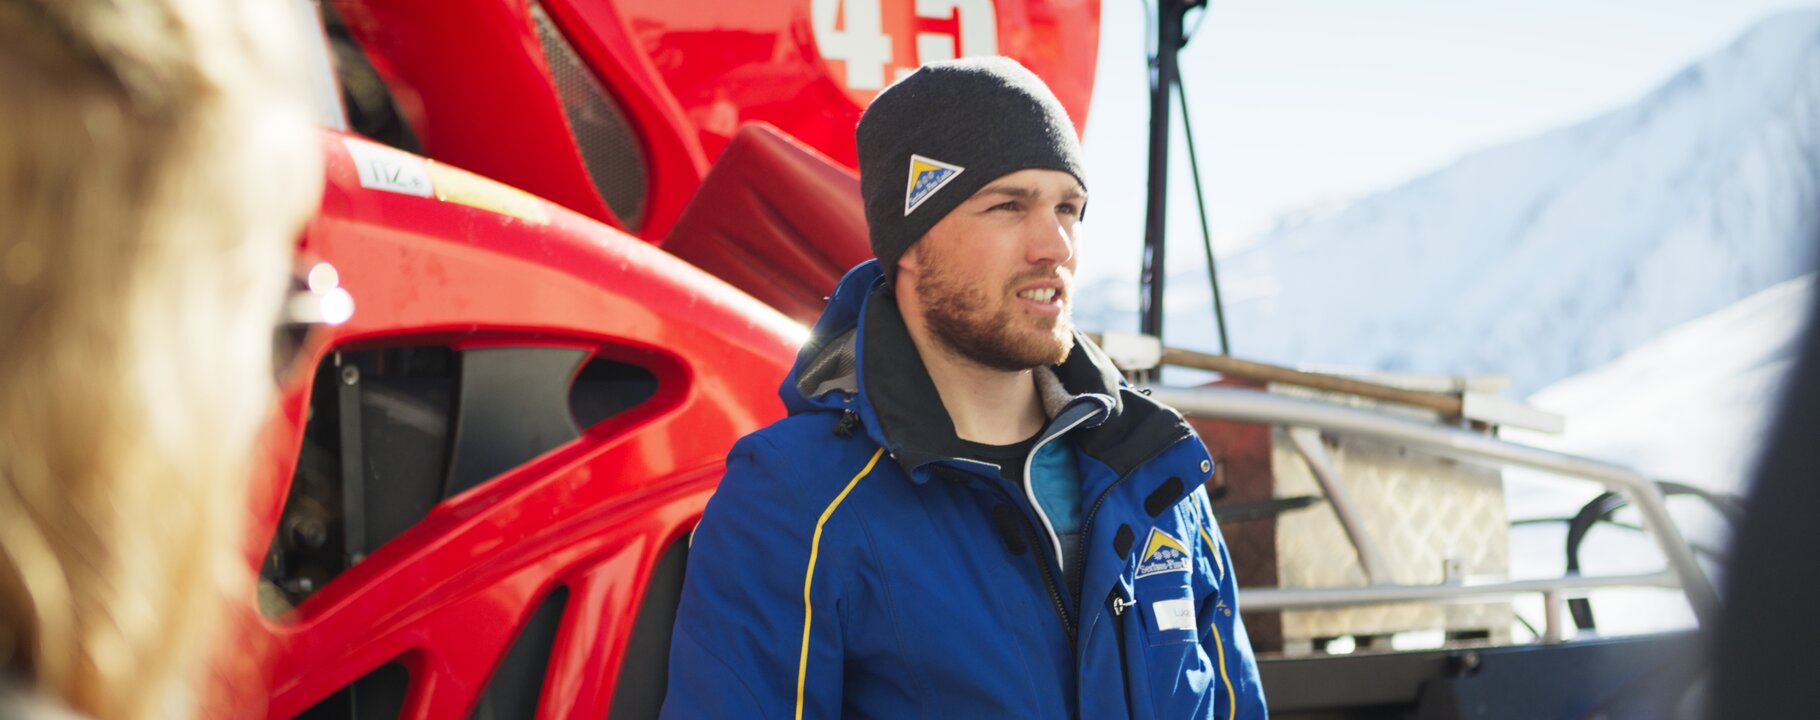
x=470, y=75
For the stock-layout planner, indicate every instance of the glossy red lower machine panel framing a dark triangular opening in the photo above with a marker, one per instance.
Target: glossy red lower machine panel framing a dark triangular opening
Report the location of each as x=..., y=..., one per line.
x=449, y=595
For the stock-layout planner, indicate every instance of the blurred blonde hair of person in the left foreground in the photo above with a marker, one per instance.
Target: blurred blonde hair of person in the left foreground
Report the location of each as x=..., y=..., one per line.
x=157, y=163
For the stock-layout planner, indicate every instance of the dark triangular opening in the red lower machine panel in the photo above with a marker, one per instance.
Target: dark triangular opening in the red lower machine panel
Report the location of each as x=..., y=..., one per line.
x=396, y=432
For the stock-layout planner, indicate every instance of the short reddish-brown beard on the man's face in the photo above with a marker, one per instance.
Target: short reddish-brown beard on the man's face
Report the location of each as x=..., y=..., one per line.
x=966, y=323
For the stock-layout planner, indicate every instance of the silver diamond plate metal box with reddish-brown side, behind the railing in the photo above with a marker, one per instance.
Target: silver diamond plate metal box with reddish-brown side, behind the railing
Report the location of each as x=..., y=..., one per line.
x=1426, y=515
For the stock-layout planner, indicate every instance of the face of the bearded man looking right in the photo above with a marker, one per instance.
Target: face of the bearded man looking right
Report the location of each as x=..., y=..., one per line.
x=995, y=279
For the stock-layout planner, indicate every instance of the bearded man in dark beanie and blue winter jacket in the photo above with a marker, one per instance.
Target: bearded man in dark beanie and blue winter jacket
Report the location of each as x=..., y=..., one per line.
x=966, y=514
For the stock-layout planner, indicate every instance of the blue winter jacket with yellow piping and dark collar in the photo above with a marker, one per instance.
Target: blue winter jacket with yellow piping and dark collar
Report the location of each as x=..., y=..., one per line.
x=853, y=565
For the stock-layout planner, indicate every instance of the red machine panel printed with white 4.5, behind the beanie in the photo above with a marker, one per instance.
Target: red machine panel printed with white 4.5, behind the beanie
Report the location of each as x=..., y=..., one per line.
x=736, y=61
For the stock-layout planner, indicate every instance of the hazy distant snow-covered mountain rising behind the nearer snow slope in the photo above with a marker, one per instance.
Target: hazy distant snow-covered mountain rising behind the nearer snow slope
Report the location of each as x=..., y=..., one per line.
x=1552, y=255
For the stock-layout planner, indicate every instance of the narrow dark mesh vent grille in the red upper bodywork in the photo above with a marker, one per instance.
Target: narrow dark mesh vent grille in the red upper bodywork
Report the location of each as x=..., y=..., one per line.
x=605, y=137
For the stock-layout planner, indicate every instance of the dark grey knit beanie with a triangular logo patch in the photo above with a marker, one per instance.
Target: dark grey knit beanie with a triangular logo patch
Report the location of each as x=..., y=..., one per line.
x=945, y=132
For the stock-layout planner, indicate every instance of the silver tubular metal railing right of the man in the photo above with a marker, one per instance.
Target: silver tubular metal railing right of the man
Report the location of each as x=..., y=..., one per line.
x=1308, y=419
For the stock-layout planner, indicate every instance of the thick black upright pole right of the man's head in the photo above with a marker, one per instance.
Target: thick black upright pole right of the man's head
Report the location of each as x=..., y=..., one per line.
x=1169, y=15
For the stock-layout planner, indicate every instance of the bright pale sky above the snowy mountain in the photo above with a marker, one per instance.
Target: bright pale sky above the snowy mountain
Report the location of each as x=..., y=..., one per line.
x=1311, y=103
